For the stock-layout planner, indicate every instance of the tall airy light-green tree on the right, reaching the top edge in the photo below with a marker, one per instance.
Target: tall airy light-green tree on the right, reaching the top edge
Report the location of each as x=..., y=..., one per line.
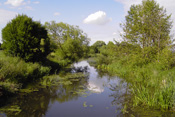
x=148, y=24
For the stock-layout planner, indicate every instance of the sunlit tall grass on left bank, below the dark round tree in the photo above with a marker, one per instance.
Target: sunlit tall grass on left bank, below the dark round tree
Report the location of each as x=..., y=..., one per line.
x=15, y=73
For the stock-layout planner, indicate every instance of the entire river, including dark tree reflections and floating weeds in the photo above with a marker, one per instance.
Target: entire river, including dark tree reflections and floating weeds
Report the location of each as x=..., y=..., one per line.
x=95, y=95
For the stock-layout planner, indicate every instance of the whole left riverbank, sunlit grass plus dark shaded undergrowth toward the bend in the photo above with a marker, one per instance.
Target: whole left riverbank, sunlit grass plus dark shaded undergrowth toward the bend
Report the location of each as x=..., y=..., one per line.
x=16, y=74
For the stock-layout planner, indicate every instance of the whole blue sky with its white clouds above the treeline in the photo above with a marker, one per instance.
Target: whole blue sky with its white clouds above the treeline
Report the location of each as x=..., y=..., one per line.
x=100, y=19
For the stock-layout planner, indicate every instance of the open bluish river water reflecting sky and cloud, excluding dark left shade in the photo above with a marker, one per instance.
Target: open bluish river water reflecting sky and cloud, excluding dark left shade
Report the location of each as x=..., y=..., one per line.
x=99, y=97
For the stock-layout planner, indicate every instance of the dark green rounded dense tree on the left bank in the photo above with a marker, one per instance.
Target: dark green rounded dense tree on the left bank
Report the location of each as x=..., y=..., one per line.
x=25, y=38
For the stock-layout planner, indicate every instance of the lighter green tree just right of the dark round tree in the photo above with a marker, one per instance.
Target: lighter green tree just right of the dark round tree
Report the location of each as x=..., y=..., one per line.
x=72, y=42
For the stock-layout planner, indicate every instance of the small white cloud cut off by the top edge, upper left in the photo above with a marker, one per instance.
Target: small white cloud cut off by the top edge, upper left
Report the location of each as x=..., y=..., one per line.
x=15, y=3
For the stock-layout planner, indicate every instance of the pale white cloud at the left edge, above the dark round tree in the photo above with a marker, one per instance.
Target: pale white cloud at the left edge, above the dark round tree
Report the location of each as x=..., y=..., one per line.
x=6, y=16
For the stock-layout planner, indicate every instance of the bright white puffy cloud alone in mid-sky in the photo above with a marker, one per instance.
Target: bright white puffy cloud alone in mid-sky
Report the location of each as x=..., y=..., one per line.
x=98, y=18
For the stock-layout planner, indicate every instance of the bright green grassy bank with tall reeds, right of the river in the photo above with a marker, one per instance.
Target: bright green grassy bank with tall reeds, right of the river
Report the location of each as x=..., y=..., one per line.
x=152, y=84
